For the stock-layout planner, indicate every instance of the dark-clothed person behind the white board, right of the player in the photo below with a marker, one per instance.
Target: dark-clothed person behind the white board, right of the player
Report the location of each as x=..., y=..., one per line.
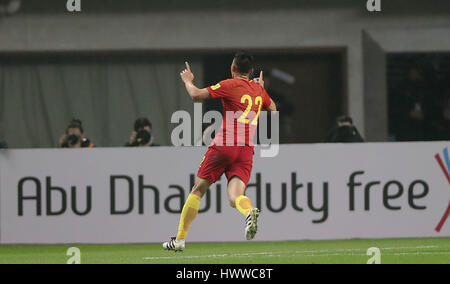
x=344, y=132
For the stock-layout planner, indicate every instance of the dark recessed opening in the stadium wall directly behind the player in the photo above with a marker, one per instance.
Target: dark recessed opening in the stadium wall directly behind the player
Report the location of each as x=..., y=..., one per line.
x=315, y=96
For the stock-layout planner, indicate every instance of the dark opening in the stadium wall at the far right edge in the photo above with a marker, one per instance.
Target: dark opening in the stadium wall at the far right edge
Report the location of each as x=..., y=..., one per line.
x=419, y=102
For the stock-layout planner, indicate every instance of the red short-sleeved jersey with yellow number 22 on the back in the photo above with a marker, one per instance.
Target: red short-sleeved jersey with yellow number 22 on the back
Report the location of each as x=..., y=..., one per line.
x=242, y=102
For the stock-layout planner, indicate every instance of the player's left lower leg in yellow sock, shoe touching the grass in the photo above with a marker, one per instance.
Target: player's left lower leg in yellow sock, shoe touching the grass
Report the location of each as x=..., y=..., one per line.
x=188, y=214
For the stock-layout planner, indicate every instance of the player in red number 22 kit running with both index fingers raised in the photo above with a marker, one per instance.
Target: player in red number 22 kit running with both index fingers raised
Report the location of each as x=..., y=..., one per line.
x=231, y=152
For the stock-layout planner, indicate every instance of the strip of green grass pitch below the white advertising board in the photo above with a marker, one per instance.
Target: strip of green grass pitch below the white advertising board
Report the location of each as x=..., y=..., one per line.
x=396, y=251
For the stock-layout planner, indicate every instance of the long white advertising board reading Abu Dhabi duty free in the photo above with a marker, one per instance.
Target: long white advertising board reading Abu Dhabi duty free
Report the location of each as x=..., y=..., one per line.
x=127, y=195
